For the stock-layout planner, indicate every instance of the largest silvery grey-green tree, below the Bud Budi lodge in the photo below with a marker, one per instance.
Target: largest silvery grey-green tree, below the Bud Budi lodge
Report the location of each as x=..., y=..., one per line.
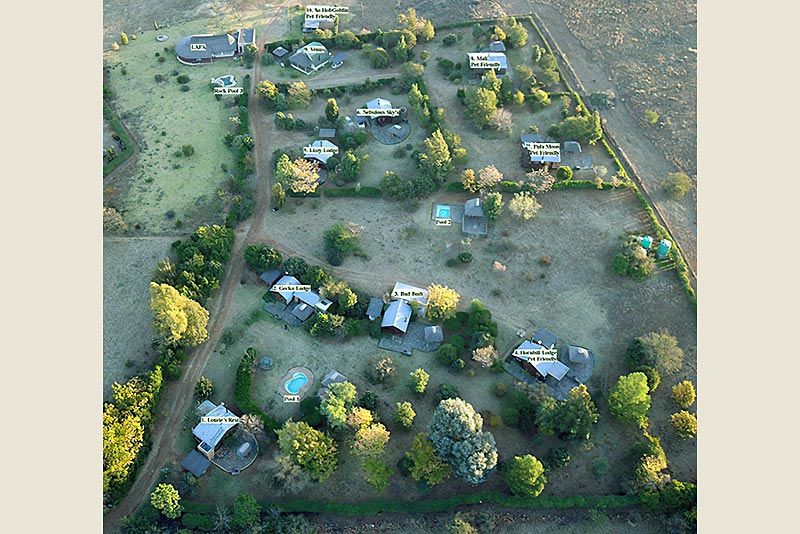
x=456, y=432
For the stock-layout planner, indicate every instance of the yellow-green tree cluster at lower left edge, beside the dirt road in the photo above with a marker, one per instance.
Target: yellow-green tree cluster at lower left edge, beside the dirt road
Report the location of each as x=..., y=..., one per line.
x=127, y=422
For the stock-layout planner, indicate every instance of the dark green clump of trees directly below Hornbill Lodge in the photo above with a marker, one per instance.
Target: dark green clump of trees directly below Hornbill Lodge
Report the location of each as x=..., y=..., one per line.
x=571, y=419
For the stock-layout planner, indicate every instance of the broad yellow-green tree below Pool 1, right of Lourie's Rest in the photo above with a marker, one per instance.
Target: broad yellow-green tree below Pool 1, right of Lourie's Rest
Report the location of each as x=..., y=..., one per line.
x=309, y=448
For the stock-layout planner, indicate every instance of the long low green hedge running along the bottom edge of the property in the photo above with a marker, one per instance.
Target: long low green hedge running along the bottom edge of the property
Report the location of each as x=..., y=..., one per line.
x=433, y=505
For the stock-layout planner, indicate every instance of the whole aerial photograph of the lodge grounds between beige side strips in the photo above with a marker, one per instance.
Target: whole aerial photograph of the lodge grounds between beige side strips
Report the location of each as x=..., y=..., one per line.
x=399, y=266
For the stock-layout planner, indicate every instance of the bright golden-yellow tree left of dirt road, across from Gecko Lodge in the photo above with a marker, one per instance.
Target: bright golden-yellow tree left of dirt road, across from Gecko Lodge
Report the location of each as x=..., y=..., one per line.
x=177, y=319
